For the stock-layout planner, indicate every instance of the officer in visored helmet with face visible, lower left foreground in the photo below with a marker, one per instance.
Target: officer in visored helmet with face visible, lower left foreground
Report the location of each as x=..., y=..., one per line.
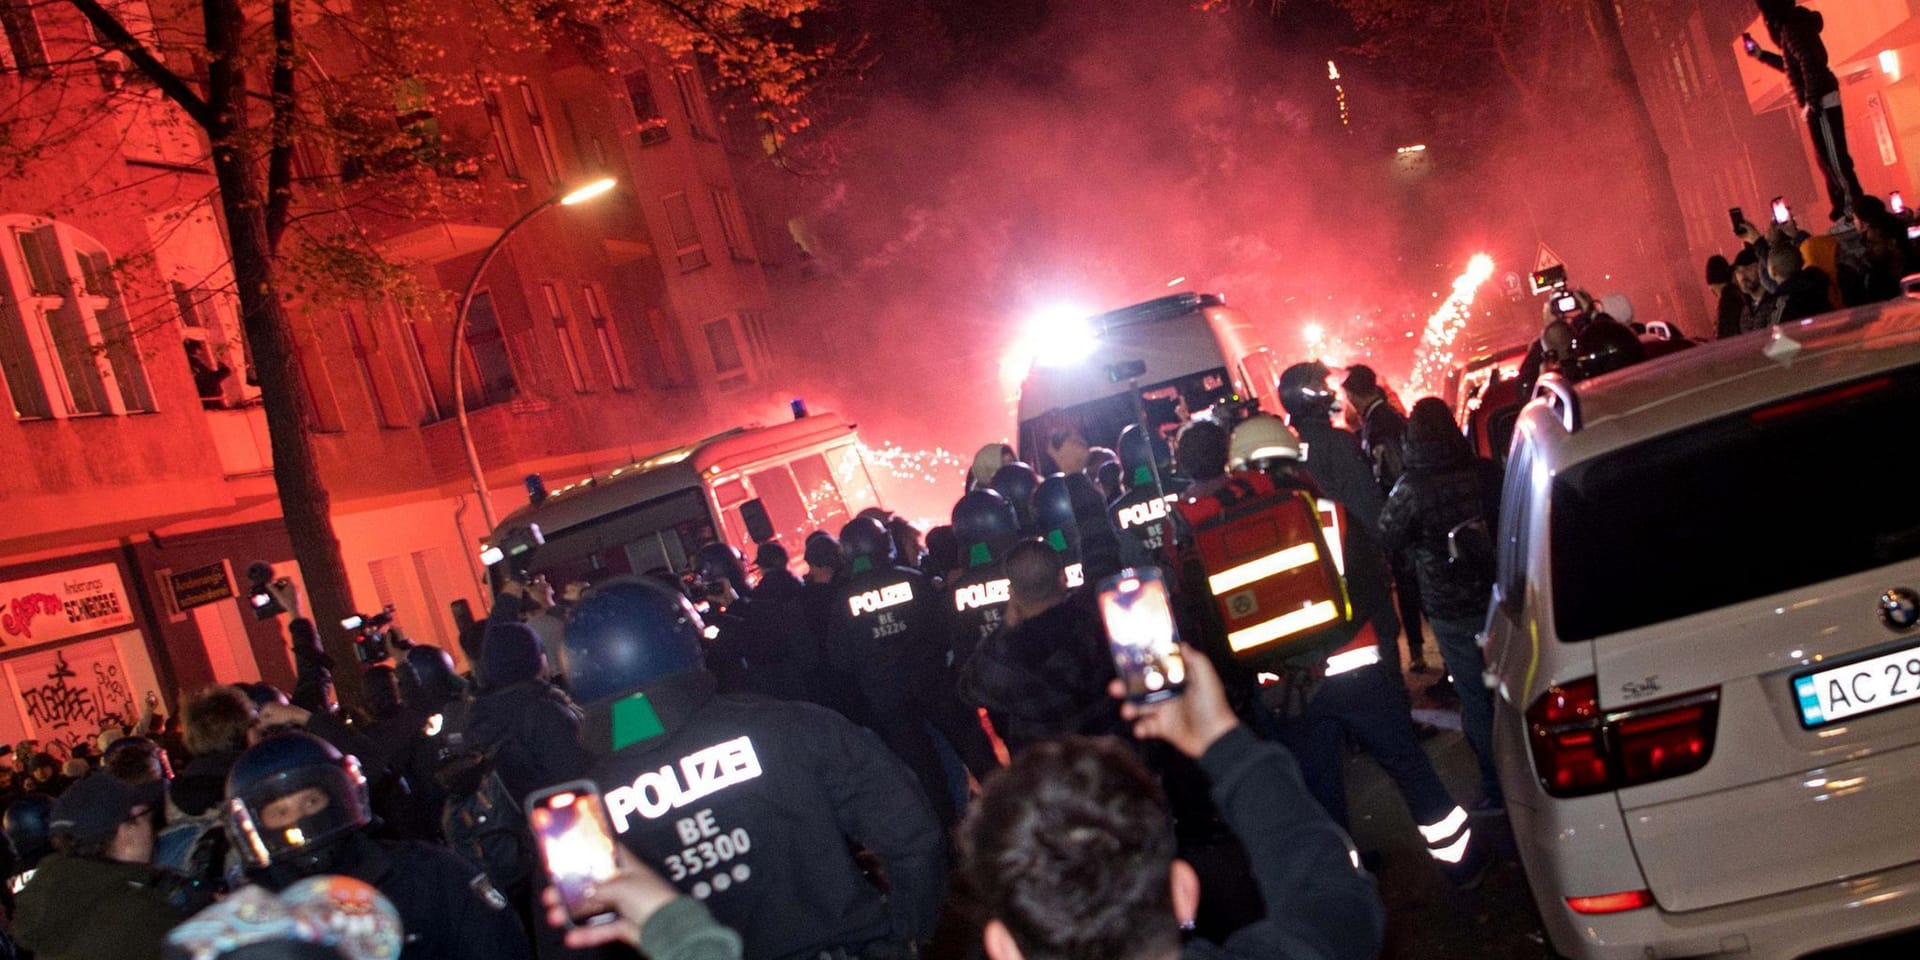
x=299, y=809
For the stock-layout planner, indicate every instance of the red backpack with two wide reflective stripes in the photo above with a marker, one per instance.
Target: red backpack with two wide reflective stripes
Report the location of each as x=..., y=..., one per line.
x=1268, y=567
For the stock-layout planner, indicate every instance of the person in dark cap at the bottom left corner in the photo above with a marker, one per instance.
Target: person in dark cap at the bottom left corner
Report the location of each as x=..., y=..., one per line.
x=99, y=896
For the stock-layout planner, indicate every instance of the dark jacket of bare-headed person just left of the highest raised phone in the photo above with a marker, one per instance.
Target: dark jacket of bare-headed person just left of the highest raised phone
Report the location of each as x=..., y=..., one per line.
x=1047, y=677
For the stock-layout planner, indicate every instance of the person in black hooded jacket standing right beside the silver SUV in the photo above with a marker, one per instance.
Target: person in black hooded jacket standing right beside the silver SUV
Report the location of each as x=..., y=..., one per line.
x=1449, y=489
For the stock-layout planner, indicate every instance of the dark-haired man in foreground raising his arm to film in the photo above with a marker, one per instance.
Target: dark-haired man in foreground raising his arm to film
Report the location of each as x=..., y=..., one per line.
x=1116, y=892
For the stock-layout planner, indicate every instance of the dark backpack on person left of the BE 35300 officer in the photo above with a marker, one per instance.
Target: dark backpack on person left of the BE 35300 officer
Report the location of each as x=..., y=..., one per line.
x=481, y=819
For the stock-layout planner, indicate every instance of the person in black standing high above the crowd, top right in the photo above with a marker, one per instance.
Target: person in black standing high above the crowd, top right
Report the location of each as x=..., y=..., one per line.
x=1802, y=57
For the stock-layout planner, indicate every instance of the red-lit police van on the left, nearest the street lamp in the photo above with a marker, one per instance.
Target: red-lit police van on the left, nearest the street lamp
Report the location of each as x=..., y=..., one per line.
x=746, y=487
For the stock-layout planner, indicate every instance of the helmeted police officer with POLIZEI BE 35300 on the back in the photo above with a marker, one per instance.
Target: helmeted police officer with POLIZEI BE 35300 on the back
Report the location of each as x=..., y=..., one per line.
x=744, y=804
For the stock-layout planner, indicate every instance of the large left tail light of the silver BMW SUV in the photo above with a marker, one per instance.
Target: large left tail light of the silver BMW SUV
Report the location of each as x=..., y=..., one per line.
x=1583, y=750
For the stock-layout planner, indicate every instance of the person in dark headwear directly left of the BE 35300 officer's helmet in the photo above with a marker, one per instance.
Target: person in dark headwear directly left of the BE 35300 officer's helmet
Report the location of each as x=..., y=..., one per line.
x=525, y=723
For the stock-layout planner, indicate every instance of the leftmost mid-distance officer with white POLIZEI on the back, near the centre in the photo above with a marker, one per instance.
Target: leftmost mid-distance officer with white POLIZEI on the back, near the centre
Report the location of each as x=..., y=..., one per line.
x=890, y=638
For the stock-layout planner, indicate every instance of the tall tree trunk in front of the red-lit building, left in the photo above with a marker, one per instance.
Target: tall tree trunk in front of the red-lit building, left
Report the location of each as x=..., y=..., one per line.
x=297, y=473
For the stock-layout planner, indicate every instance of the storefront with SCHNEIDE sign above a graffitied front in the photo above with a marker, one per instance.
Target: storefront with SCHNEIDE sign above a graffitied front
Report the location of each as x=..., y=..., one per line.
x=74, y=656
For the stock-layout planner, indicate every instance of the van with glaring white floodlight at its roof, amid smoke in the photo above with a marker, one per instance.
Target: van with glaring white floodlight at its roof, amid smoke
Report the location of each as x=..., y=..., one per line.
x=1182, y=354
